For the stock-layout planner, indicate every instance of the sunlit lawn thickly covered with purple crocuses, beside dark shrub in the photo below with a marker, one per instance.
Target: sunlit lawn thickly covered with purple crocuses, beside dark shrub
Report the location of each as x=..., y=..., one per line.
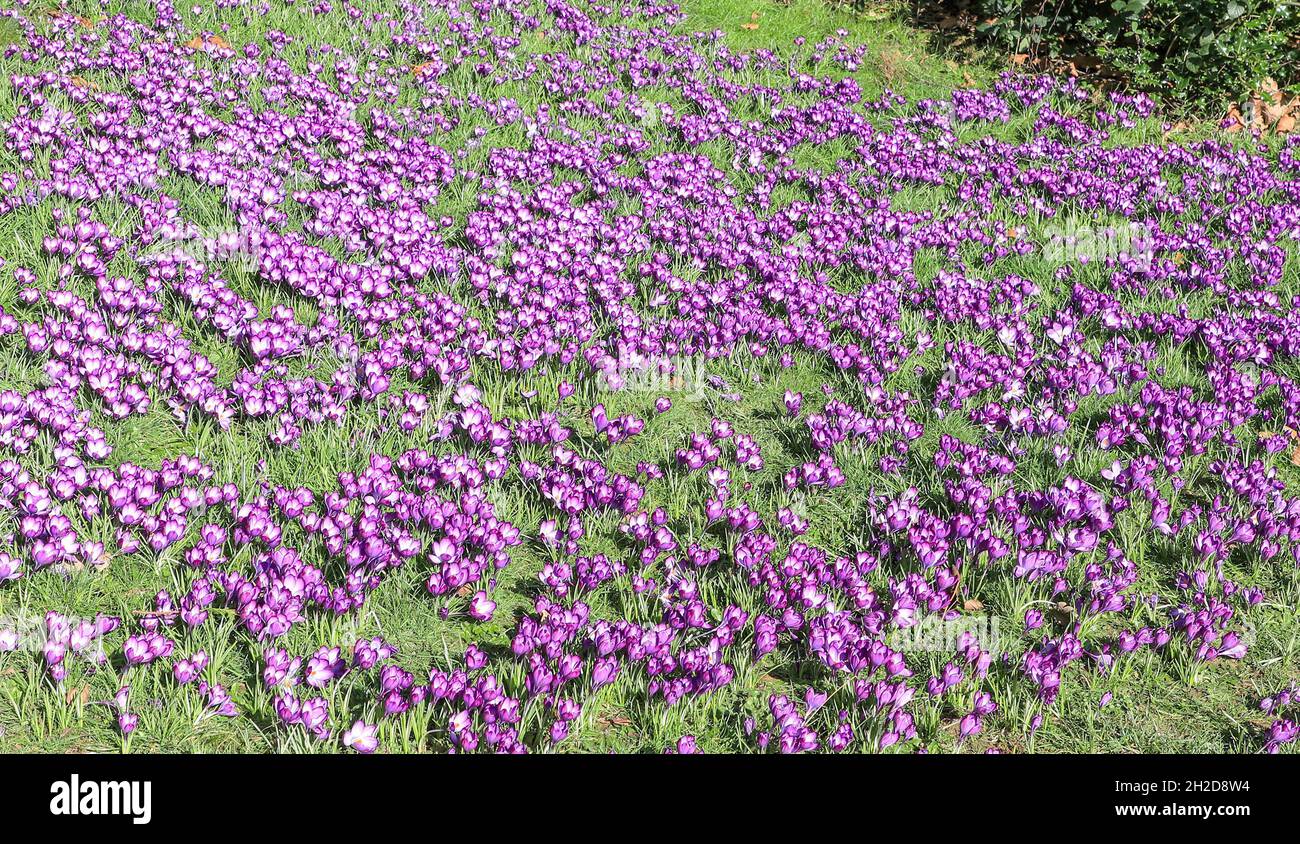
x=567, y=378
